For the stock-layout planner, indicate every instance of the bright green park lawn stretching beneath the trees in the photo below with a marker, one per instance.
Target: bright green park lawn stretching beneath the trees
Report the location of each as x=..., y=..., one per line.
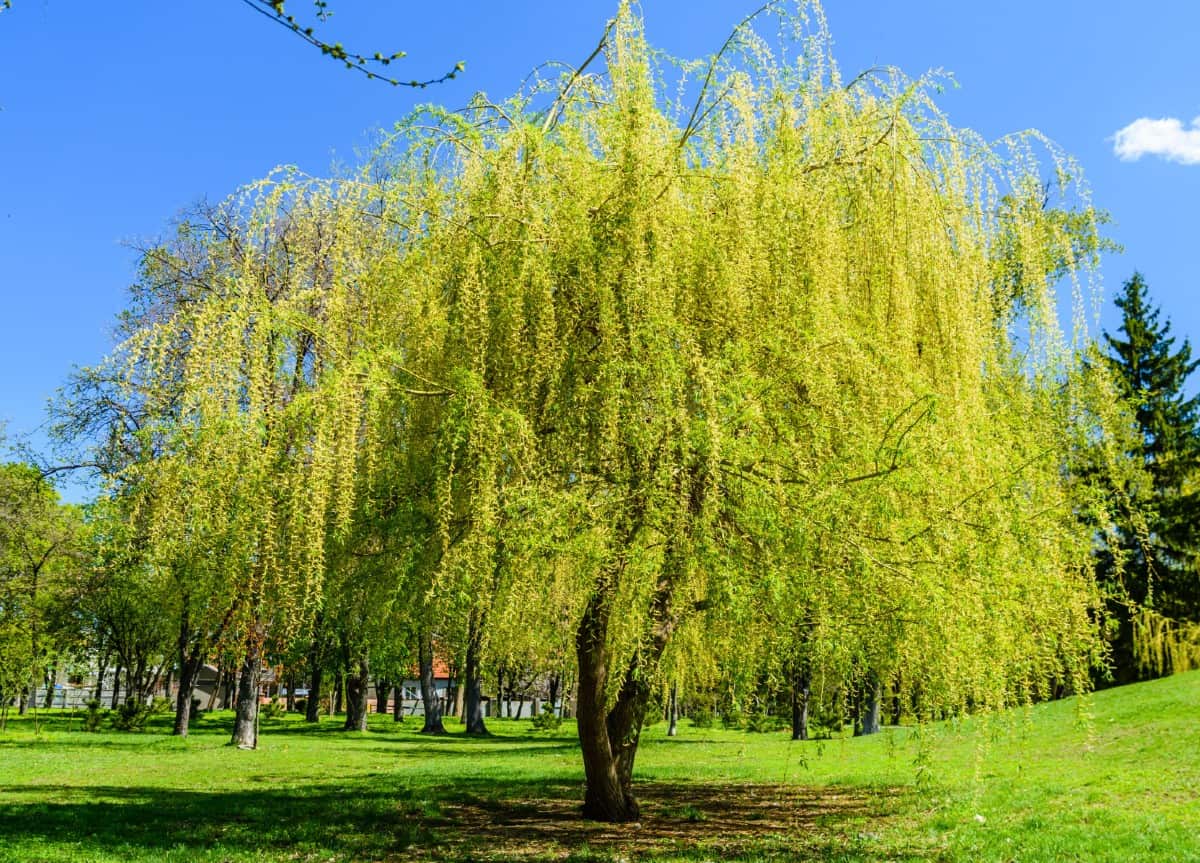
x=1117, y=778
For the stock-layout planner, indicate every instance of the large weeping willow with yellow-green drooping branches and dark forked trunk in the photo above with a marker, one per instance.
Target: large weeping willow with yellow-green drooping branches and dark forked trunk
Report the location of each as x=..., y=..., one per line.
x=670, y=386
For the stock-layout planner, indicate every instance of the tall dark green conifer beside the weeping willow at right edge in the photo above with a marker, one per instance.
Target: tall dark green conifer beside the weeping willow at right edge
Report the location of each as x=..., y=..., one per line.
x=1151, y=373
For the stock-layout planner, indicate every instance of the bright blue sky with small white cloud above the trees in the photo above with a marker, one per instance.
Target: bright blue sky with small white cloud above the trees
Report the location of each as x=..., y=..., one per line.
x=115, y=117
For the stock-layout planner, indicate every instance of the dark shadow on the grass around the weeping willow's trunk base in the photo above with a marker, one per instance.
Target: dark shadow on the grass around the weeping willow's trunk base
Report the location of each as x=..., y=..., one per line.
x=511, y=820
